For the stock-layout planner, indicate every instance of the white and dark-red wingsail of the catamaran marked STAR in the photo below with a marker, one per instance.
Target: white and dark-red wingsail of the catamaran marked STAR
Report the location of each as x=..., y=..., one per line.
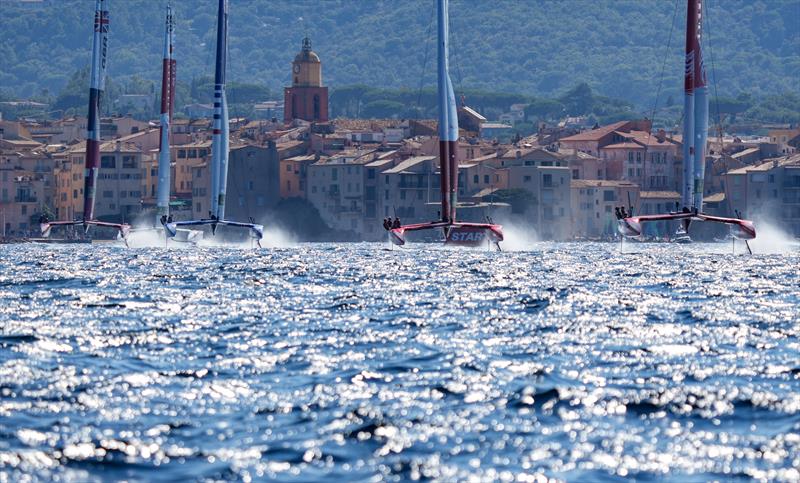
x=448, y=121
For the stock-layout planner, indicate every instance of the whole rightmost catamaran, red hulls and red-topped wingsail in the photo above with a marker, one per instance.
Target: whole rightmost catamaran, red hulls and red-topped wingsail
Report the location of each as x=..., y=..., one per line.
x=695, y=133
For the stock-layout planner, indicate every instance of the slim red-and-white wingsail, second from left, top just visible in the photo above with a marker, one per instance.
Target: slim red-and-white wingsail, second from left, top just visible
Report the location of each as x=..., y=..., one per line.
x=167, y=101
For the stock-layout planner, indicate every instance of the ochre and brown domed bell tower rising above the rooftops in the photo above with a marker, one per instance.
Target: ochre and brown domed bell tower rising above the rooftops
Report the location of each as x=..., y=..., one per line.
x=307, y=99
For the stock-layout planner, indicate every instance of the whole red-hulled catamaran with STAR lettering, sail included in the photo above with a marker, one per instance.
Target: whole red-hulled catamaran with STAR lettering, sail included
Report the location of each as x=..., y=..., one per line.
x=455, y=232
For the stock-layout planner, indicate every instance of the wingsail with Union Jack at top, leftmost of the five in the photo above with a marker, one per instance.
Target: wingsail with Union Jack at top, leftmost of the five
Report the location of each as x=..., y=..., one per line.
x=99, y=52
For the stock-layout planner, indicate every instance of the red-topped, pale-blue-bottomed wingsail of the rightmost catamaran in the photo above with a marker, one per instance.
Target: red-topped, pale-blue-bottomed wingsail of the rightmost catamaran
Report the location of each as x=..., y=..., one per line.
x=695, y=117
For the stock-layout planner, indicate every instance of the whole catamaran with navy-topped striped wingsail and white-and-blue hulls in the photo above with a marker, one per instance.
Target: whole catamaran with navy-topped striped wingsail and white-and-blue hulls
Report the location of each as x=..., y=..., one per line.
x=219, y=145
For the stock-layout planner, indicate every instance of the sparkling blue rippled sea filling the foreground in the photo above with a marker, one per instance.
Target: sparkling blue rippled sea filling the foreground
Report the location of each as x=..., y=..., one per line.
x=354, y=362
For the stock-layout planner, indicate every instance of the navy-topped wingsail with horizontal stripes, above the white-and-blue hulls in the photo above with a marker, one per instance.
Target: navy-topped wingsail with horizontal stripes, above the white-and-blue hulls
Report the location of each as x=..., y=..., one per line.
x=219, y=150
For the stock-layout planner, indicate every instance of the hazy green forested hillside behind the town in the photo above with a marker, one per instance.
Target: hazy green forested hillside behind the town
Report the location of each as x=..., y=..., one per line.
x=540, y=48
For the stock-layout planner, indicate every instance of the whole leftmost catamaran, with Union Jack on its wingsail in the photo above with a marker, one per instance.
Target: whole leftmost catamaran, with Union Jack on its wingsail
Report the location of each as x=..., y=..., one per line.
x=99, y=53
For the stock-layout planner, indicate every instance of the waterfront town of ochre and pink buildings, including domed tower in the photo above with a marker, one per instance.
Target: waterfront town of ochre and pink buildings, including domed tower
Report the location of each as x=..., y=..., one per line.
x=563, y=181
